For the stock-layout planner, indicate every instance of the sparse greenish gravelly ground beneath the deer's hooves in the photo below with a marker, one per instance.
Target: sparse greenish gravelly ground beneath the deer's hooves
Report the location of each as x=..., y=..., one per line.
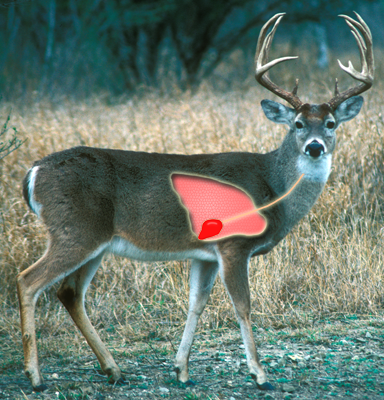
x=335, y=359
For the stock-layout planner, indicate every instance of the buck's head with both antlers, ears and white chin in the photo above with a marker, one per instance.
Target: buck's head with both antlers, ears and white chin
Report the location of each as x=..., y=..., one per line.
x=313, y=126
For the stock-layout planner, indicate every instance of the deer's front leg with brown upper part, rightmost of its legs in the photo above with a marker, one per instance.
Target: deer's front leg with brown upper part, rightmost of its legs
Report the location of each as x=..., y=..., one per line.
x=234, y=273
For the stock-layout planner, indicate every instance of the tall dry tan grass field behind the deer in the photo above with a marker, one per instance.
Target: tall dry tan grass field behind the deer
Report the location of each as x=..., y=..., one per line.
x=330, y=268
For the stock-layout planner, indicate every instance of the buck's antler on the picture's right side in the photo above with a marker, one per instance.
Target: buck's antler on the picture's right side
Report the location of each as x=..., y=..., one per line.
x=363, y=36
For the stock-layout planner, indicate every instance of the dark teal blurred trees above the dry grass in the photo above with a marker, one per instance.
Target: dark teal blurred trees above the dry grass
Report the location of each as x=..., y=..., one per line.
x=115, y=47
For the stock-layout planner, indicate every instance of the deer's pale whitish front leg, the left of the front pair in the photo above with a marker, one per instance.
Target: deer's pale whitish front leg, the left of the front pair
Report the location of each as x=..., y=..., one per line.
x=202, y=277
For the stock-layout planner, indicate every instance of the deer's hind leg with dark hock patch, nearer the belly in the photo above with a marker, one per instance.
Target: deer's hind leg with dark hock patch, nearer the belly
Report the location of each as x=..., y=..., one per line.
x=72, y=293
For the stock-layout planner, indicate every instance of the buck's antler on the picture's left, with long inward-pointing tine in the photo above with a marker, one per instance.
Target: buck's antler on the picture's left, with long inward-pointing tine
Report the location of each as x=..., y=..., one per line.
x=262, y=65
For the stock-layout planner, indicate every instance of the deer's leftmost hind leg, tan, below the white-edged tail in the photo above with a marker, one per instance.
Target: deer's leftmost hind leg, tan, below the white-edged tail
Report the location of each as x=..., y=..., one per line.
x=55, y=264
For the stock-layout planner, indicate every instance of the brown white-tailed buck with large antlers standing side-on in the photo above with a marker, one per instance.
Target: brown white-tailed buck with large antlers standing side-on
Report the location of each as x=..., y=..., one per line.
x=97, y=201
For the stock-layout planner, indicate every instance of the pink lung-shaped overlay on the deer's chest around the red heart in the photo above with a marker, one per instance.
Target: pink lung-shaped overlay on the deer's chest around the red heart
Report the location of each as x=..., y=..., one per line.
x=207, y=198
